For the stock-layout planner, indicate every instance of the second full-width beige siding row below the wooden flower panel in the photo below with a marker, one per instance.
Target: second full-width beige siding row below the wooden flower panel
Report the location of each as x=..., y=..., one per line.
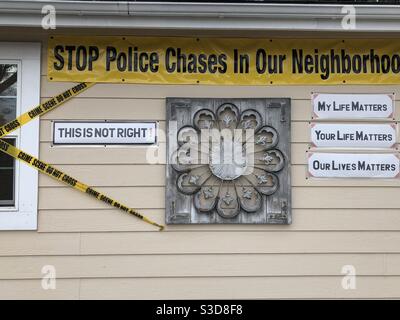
x=212, y=265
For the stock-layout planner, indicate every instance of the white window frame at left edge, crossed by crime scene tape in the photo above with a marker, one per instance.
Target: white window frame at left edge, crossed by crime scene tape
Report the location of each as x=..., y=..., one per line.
x=23, y=216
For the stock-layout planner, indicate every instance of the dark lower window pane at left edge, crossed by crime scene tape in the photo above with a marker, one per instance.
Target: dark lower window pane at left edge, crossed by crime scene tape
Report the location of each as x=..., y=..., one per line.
x=7, y=178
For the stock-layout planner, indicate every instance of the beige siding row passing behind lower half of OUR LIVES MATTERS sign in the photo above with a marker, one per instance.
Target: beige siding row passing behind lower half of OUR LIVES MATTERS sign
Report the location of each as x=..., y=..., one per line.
x=154, y=175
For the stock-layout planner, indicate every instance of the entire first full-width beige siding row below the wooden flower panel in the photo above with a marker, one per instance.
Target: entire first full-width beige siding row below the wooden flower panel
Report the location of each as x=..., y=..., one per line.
x=207, y=242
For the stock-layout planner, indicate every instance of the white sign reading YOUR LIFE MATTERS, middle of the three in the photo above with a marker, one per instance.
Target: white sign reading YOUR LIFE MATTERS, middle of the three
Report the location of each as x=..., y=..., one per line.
x=342, y=135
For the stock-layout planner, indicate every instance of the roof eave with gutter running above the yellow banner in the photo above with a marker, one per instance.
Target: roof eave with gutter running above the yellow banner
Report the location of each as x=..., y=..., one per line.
x=199, y=16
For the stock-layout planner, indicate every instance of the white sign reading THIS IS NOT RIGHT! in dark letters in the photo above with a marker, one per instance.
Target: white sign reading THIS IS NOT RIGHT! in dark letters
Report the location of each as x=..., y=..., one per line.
x=104, y=133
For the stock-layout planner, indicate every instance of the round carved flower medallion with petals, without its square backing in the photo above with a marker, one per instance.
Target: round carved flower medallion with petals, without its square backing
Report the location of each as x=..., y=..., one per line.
x=228, y=173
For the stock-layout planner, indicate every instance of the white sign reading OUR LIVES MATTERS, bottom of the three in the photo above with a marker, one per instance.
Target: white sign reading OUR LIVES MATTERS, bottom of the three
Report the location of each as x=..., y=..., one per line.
x=353, y=165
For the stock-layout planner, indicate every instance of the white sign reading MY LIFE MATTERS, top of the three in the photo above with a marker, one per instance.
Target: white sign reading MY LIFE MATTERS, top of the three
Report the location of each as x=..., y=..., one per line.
x=352, y=106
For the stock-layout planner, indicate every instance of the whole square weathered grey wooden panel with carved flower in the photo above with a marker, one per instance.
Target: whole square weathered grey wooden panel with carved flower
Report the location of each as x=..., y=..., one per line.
x=216, y=173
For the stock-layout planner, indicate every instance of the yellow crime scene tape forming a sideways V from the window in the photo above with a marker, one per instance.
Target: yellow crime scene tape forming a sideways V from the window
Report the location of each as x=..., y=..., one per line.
x=50, y=170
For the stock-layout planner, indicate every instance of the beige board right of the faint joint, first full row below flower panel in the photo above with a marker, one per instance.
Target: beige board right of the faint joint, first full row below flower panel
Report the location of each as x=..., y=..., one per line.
x=239, y=242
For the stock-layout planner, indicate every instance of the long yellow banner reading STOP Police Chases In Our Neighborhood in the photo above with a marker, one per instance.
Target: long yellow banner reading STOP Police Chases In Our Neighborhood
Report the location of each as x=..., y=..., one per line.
x=229, y=61
